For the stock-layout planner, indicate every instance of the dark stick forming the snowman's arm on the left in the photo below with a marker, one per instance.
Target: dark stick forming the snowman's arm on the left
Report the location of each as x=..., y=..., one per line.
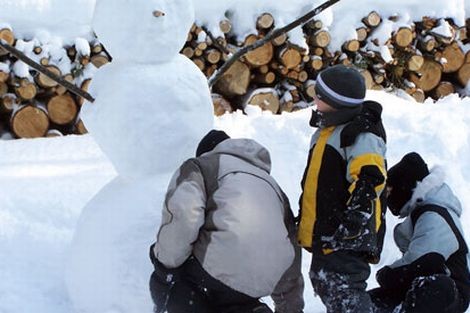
x=38, y=67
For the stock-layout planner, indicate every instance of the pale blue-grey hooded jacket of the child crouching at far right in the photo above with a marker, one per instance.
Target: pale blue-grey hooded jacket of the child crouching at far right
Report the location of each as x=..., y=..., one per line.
x=431, y=232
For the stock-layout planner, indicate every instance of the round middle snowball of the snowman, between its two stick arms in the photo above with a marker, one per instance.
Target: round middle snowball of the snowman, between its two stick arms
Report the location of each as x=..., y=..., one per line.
x=140, y=140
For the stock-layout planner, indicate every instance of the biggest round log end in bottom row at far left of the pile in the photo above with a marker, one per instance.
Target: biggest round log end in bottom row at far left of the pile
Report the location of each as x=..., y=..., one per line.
x=29, y=122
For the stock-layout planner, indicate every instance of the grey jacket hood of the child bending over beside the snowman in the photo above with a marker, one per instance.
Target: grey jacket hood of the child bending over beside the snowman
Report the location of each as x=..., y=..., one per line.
x=245, y=149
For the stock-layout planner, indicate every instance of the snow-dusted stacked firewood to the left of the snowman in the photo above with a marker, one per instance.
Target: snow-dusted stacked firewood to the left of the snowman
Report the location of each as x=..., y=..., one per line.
x=31, y=104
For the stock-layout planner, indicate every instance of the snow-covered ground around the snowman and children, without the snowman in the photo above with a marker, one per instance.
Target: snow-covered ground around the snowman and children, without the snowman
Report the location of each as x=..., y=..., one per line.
x=45, y=183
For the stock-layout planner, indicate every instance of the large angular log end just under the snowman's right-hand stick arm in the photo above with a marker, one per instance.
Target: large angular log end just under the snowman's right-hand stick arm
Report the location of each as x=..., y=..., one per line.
x=235, y=80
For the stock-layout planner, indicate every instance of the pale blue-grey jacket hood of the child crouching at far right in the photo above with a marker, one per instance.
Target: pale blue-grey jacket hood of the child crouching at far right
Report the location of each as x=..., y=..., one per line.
x=433, y=190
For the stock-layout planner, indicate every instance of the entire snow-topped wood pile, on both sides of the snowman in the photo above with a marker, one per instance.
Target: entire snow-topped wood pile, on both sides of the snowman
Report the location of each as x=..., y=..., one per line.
x=426, y=59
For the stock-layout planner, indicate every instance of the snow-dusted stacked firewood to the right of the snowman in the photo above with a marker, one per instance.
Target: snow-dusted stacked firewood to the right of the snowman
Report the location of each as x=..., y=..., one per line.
x=425, y=59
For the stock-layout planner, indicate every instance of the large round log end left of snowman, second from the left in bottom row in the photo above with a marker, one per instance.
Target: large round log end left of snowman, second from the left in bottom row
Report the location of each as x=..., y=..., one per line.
x=62, y=109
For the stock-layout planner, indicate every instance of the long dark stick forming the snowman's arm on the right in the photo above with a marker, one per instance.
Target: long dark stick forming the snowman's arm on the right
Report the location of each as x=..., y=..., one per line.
x=271, y=35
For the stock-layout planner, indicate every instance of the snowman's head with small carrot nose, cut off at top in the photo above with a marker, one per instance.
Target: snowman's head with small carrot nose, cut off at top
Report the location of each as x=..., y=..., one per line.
x=143, y=31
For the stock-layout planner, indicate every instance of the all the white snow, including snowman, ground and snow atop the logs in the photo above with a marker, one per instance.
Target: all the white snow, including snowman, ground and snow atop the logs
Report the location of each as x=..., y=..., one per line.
x=77, y=214
